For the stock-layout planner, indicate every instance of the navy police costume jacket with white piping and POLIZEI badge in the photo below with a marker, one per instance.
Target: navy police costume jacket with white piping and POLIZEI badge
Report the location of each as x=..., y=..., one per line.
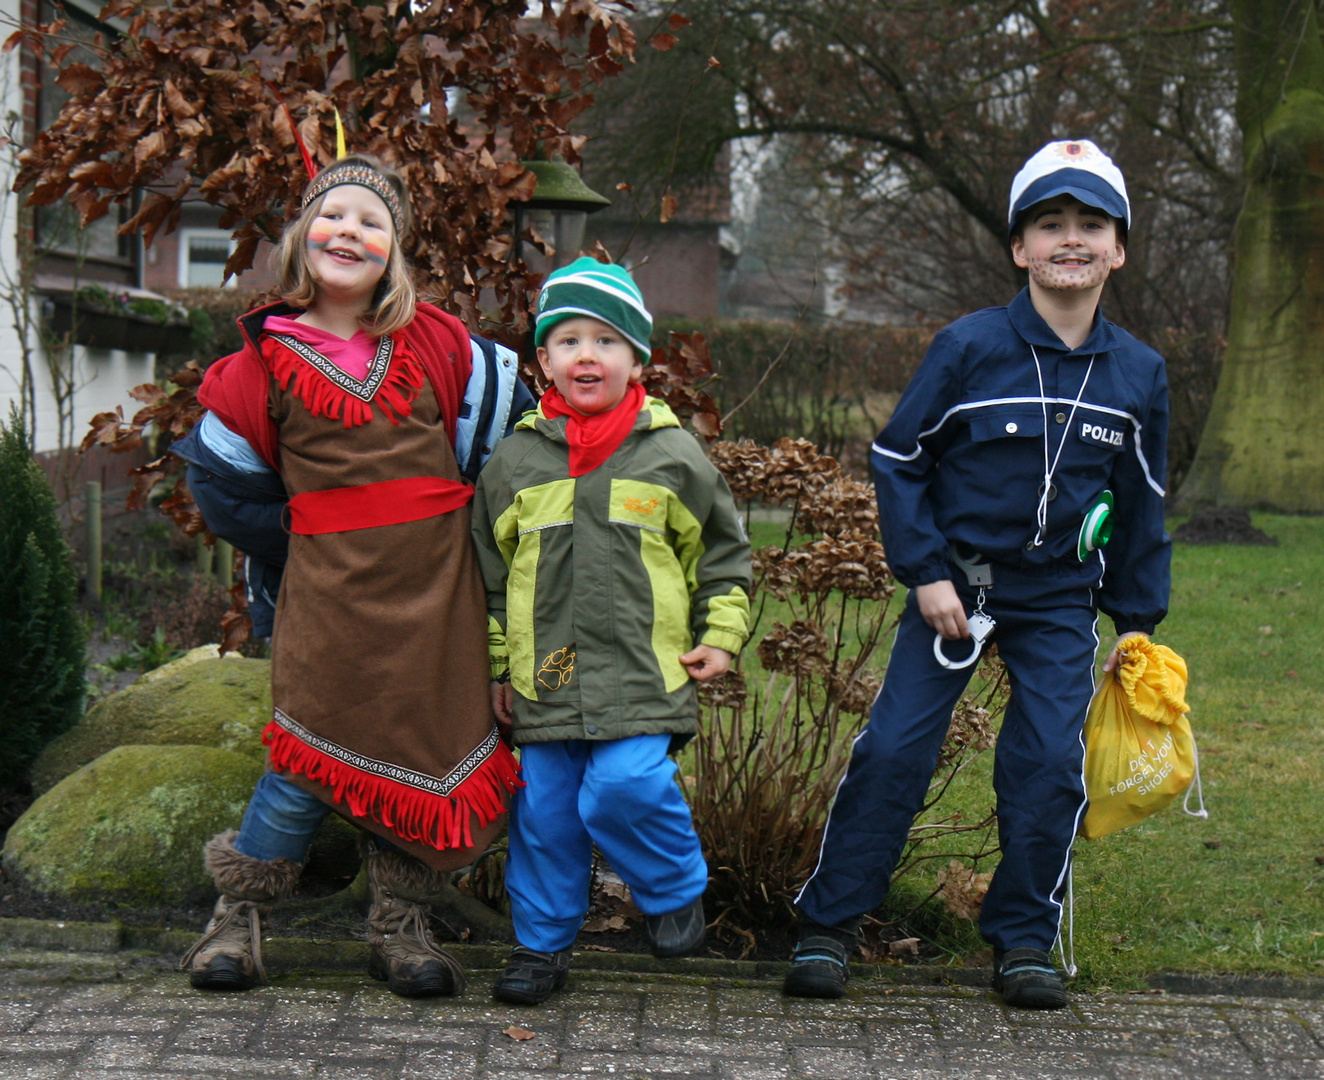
x=963, y=460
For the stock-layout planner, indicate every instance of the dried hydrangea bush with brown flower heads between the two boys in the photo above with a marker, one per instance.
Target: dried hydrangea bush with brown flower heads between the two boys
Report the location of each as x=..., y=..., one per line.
x=777, y=731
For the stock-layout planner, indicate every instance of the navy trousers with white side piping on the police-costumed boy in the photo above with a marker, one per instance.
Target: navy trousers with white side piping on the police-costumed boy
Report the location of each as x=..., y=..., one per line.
x=1047, y=637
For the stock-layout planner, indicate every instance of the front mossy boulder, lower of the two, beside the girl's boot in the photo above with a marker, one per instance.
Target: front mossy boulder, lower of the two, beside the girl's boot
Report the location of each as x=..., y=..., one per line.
x=130, y=827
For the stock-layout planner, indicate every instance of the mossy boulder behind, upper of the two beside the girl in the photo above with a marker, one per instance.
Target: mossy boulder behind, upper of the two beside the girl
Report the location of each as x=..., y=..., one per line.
x=220, y=703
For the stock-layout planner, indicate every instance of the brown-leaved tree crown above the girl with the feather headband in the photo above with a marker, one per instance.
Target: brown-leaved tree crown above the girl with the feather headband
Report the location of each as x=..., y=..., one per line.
x=187, y=105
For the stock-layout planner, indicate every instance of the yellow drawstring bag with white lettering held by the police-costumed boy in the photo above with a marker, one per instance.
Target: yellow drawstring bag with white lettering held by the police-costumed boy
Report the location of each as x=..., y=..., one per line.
x=1139, y=752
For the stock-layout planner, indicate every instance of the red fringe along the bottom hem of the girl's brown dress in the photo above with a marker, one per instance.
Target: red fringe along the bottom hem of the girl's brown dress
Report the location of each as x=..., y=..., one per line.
x=438, y=821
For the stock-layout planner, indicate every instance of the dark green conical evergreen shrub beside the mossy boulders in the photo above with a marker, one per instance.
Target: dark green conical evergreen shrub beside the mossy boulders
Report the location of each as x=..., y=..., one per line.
x=43, y=644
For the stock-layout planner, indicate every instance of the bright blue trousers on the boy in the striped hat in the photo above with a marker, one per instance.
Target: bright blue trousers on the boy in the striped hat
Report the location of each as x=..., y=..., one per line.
x=620, y=795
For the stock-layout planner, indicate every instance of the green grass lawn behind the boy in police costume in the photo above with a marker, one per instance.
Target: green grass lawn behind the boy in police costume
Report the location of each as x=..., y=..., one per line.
x=1241, y=891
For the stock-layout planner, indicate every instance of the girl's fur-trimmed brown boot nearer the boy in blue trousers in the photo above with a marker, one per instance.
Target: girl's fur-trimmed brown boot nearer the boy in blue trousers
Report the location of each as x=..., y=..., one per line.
x=403, y=952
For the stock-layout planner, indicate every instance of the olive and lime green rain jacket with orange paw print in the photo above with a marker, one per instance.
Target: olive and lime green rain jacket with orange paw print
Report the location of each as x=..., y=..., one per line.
x=598, y=584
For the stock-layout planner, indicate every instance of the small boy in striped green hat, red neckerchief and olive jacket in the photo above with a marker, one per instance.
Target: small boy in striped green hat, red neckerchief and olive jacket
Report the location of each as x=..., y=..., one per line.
x=618, y=574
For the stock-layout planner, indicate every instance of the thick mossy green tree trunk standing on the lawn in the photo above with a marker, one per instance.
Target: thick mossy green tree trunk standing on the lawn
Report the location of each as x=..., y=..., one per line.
x=1264, y=444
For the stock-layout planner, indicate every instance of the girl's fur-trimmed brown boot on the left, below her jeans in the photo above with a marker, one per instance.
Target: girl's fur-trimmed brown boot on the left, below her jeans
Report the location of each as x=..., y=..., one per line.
x=230, y=954
